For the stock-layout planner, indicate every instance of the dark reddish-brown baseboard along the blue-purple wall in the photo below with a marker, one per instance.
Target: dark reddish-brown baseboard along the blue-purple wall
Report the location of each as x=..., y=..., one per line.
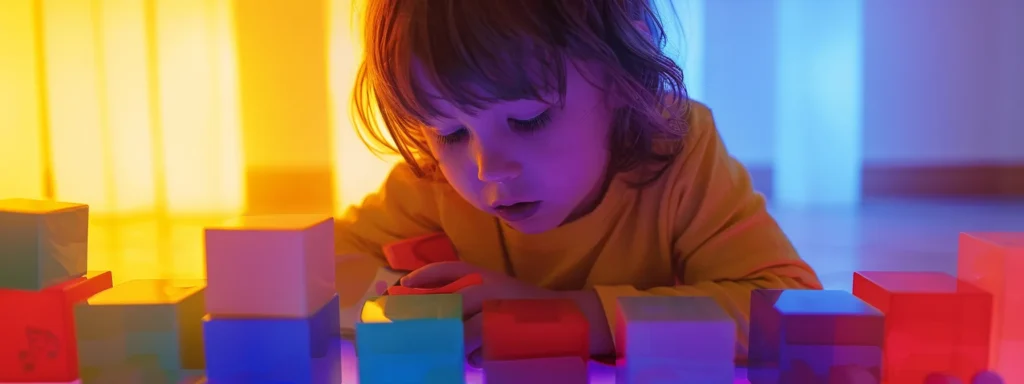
x=880, y=181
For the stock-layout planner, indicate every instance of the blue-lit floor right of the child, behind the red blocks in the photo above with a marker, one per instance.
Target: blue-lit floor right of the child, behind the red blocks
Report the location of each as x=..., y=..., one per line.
x=894, y=235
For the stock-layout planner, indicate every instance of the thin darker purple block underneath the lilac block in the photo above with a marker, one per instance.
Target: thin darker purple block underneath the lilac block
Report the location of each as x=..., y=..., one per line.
x=670, y=370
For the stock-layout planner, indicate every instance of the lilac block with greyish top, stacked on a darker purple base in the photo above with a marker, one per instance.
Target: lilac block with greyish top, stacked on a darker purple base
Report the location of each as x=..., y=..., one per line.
x=672, y=339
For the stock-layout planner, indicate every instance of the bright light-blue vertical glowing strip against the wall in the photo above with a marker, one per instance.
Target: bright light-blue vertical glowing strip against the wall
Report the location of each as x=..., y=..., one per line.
x=820, y=102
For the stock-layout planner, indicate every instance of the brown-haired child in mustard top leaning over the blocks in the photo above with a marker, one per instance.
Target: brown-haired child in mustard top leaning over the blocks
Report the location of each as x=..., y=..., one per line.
x=553, y=142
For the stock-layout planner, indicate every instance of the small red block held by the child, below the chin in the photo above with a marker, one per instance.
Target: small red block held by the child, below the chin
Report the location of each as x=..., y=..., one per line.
x=414, y=253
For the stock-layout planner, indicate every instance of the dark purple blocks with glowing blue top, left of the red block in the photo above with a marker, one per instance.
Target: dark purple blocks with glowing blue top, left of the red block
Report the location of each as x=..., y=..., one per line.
x=802, y=336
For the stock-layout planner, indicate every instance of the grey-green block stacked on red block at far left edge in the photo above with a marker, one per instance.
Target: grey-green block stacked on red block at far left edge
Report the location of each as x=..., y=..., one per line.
x=44, y=260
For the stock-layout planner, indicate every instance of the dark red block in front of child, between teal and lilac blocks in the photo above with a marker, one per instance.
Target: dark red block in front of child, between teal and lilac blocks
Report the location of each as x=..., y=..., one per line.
x=534, y=329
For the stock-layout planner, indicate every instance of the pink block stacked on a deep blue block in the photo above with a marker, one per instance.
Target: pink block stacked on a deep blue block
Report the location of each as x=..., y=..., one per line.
x=271, y=302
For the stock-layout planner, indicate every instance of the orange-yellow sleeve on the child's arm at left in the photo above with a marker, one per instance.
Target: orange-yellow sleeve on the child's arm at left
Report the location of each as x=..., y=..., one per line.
x=406, y=206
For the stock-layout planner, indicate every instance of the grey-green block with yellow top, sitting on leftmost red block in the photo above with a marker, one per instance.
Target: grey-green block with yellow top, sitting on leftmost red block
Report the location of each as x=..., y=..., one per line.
x=41, y=243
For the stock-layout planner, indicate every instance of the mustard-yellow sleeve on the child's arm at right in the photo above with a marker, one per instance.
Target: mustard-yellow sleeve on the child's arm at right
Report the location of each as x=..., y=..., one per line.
x=726, y=243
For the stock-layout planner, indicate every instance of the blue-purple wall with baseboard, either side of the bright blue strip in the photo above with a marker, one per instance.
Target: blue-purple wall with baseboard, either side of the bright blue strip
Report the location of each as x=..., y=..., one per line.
x=944, y=86
